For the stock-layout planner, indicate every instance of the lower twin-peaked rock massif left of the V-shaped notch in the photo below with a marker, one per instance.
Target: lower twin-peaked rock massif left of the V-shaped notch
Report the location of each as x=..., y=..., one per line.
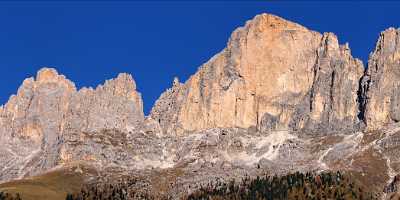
x=47, y=112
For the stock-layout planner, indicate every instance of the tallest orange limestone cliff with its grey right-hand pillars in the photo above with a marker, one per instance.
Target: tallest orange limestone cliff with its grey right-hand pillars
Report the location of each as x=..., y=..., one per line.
x=273, y=74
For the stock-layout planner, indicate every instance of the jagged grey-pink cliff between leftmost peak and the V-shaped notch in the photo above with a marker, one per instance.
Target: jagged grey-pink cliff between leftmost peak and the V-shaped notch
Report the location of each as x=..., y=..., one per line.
x=114, y=105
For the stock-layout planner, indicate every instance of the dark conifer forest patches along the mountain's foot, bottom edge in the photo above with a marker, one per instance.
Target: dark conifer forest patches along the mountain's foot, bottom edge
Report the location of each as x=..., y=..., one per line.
x=297, y=186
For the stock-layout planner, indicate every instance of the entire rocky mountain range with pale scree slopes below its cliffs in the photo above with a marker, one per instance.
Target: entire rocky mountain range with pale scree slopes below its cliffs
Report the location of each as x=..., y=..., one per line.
x=279, y=98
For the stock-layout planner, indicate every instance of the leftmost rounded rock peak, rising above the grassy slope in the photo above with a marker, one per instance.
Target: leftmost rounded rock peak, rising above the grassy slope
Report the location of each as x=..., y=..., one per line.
x=31, y=123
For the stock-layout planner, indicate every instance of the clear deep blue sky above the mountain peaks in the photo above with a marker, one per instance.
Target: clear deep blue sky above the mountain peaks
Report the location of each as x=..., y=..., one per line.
x=90, y=42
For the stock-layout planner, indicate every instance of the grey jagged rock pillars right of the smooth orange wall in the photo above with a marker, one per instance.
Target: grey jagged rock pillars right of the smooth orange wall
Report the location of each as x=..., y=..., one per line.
x=331, y=104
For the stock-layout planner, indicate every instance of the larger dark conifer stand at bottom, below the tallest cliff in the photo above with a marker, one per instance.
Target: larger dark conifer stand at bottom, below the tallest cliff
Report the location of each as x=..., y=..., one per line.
x=297, y=186
